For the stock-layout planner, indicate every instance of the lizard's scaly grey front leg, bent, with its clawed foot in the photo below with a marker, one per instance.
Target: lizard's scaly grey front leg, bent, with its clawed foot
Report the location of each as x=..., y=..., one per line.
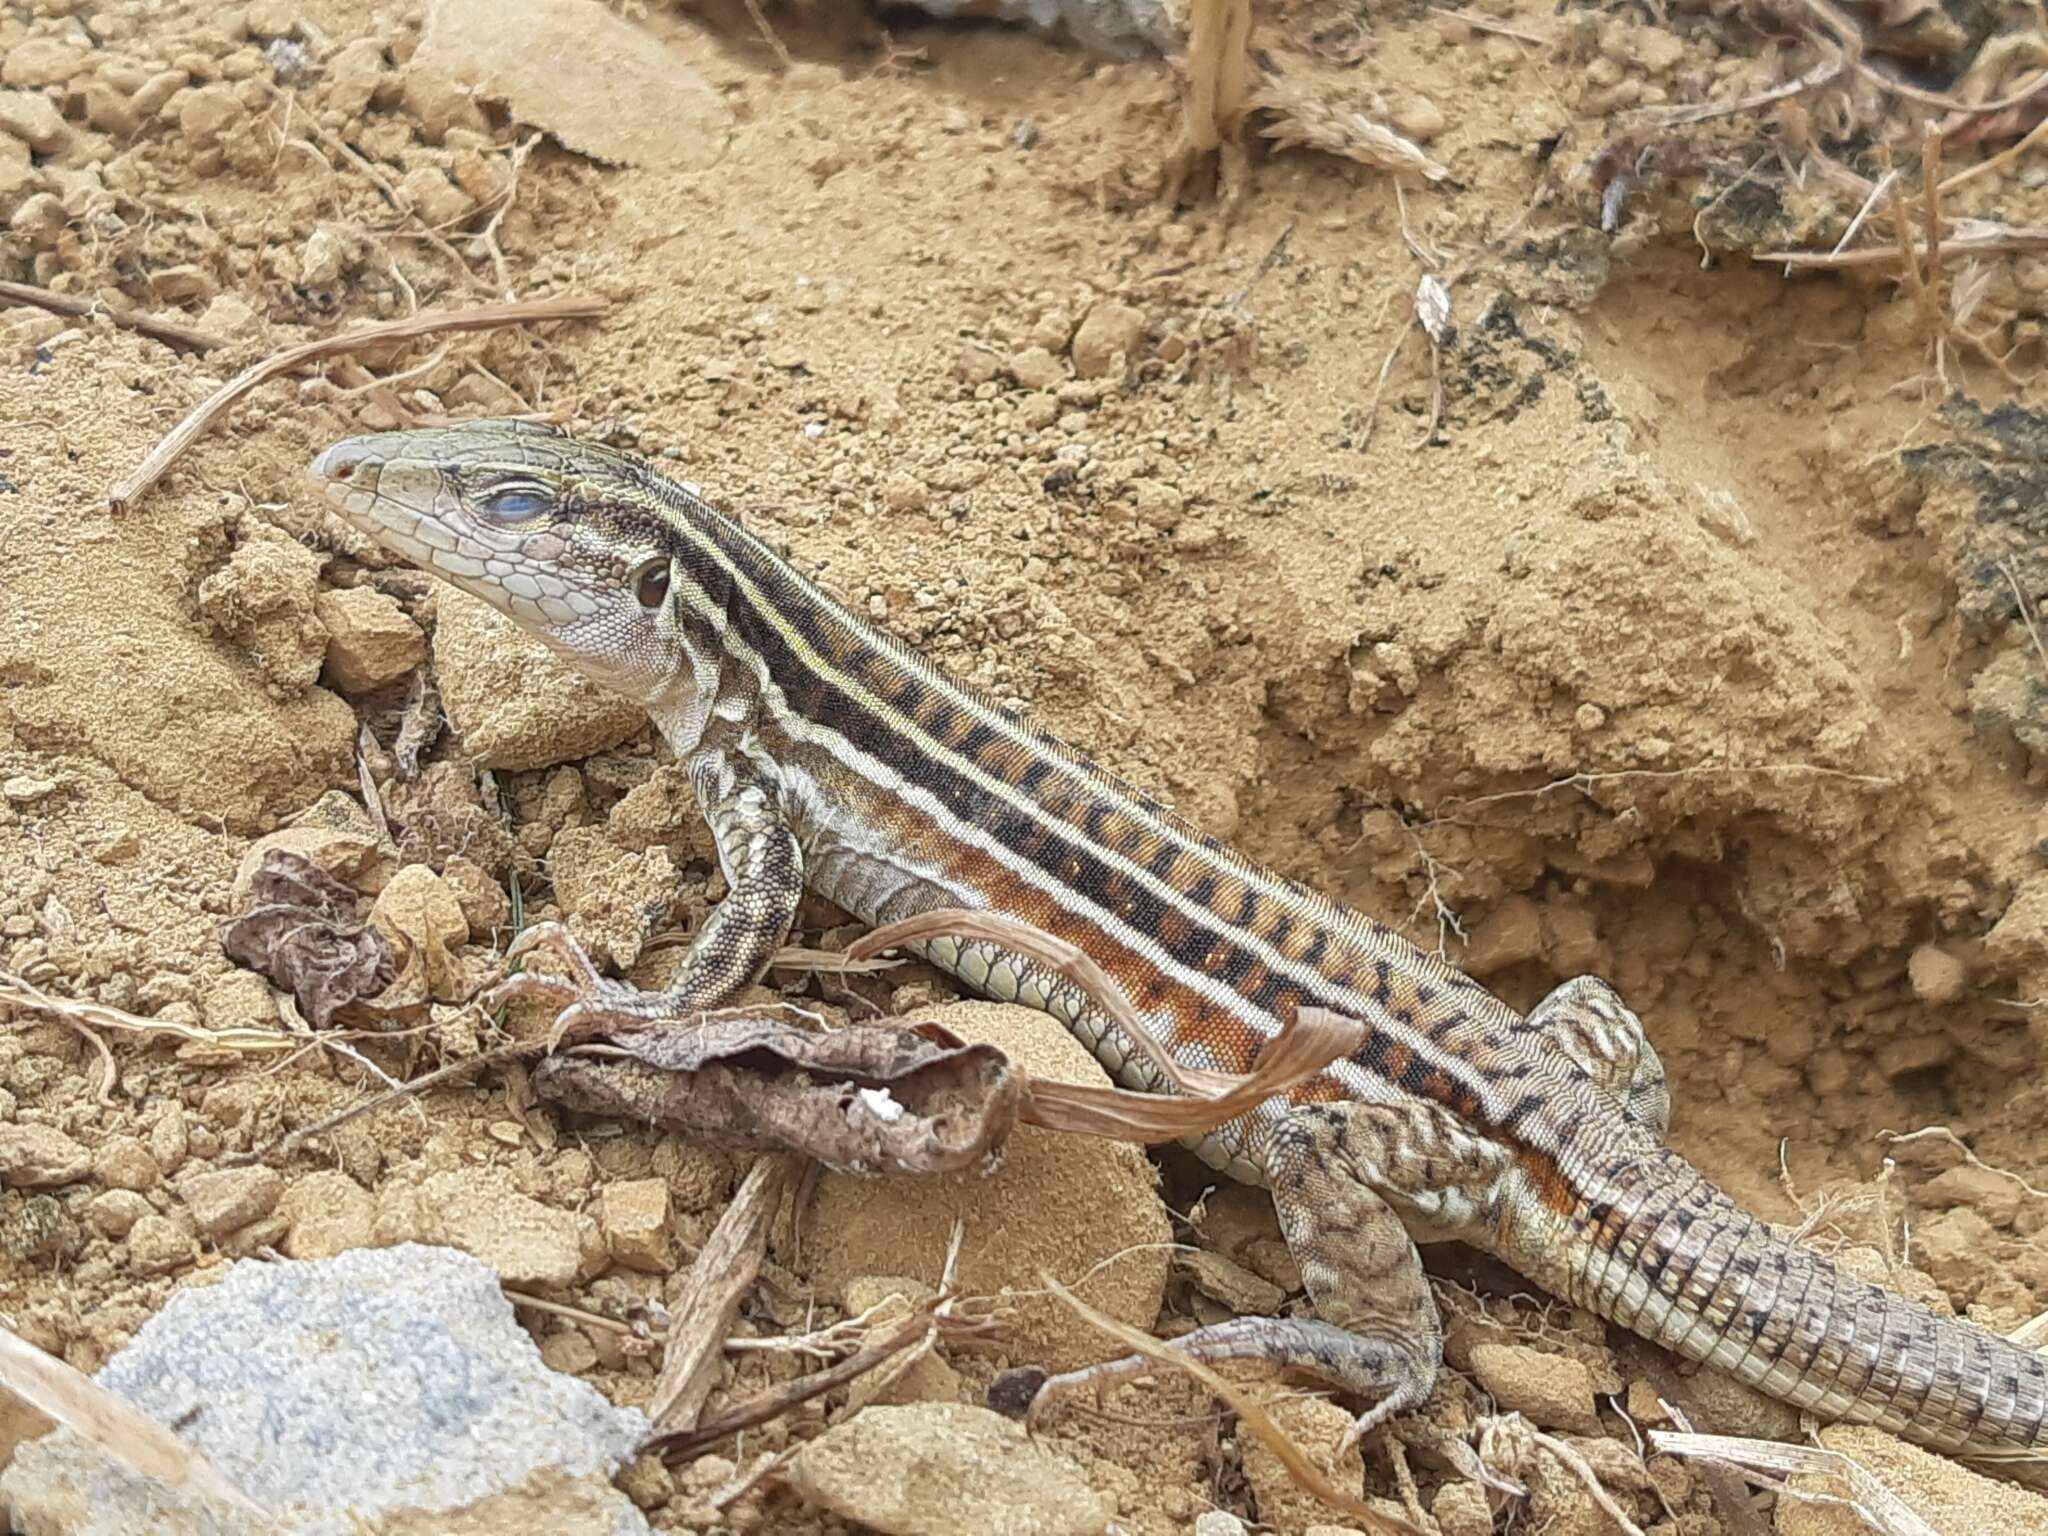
x=763, y=865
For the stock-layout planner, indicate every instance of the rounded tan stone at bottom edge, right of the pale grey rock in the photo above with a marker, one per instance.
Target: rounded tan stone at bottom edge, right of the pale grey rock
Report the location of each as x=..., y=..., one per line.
x=937, y=1469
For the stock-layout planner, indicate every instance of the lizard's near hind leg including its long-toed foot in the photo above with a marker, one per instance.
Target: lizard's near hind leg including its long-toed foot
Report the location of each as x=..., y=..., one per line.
x=1377, y=1330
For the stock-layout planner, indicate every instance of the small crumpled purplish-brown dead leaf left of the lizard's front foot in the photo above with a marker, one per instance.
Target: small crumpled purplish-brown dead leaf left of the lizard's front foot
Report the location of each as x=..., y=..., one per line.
x=302, y=933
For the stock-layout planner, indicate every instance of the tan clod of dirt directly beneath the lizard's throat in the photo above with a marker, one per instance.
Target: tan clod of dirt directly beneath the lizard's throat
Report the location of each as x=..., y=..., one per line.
x=511, y=701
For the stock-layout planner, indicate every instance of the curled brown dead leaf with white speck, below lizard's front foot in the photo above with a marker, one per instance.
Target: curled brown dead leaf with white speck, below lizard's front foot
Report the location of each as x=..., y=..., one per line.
x=880, y=1099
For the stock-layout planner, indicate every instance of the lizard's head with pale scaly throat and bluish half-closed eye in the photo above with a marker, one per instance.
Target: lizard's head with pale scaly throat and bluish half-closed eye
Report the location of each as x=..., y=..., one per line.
x=577, y=544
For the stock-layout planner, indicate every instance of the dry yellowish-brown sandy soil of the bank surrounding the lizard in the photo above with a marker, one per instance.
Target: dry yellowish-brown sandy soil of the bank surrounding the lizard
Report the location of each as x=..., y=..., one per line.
x=1684, y=648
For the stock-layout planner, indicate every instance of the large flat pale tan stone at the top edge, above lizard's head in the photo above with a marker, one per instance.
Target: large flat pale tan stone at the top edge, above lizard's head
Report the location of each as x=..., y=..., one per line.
x=601, y=85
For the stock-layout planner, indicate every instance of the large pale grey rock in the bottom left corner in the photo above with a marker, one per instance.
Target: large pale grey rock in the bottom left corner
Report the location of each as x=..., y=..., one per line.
x=470, y=1431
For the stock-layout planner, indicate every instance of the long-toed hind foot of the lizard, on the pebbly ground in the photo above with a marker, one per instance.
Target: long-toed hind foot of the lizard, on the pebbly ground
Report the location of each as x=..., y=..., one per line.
x=1398, y=1379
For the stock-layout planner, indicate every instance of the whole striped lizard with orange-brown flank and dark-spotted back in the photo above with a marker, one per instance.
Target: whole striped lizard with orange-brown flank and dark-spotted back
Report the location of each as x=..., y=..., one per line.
x=833, y=757
